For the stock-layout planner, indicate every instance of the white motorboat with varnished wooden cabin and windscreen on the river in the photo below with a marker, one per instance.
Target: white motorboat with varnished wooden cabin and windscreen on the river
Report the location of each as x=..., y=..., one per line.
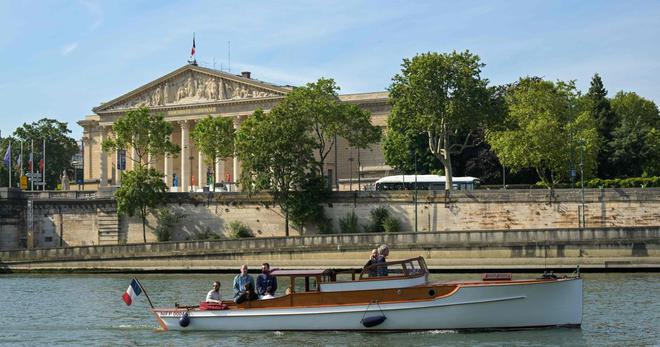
x=391, y=296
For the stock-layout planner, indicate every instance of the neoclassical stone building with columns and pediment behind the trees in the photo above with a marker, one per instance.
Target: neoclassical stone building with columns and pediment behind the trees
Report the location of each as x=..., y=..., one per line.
x=191, y=93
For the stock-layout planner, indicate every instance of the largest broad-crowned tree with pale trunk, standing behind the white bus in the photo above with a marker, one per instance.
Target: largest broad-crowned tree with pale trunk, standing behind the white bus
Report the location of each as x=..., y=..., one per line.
x=442, y=96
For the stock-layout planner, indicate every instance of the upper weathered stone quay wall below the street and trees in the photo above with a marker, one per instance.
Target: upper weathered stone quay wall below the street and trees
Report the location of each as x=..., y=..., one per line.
x=79, y=218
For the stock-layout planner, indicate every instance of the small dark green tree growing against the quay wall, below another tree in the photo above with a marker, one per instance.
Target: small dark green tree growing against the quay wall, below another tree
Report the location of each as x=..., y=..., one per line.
x=141, y=189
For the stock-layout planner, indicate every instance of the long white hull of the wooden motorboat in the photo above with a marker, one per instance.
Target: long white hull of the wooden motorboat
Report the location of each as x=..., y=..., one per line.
x=490, y=306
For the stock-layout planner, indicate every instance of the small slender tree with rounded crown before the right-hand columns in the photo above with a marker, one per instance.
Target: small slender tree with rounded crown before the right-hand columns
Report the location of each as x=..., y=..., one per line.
x=214, y=136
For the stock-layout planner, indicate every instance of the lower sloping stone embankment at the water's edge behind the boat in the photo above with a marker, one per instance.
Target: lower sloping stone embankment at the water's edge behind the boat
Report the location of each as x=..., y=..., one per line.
x=598, y=249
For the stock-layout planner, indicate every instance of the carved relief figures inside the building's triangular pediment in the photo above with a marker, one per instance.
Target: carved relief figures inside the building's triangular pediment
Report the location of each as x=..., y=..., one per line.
x=191, y=88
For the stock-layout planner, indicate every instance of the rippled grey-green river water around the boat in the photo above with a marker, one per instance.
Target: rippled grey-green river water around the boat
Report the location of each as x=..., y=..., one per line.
x=620, y=309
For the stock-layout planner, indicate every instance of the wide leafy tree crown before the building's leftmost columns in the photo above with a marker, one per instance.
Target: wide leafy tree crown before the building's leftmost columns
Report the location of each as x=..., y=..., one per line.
x=145, y=133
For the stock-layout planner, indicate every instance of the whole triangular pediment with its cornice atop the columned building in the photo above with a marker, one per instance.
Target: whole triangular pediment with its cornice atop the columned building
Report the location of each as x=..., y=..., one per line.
x=191, y=85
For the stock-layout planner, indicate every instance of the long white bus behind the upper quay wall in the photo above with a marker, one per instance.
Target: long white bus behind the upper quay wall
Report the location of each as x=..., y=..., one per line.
x=425, y=182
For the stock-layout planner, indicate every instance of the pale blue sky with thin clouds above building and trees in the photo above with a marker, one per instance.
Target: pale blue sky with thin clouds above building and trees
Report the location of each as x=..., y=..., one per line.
x=59, y=59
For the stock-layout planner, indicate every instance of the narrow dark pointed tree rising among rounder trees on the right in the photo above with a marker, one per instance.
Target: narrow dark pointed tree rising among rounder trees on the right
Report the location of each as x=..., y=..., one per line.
x=606, y=121
